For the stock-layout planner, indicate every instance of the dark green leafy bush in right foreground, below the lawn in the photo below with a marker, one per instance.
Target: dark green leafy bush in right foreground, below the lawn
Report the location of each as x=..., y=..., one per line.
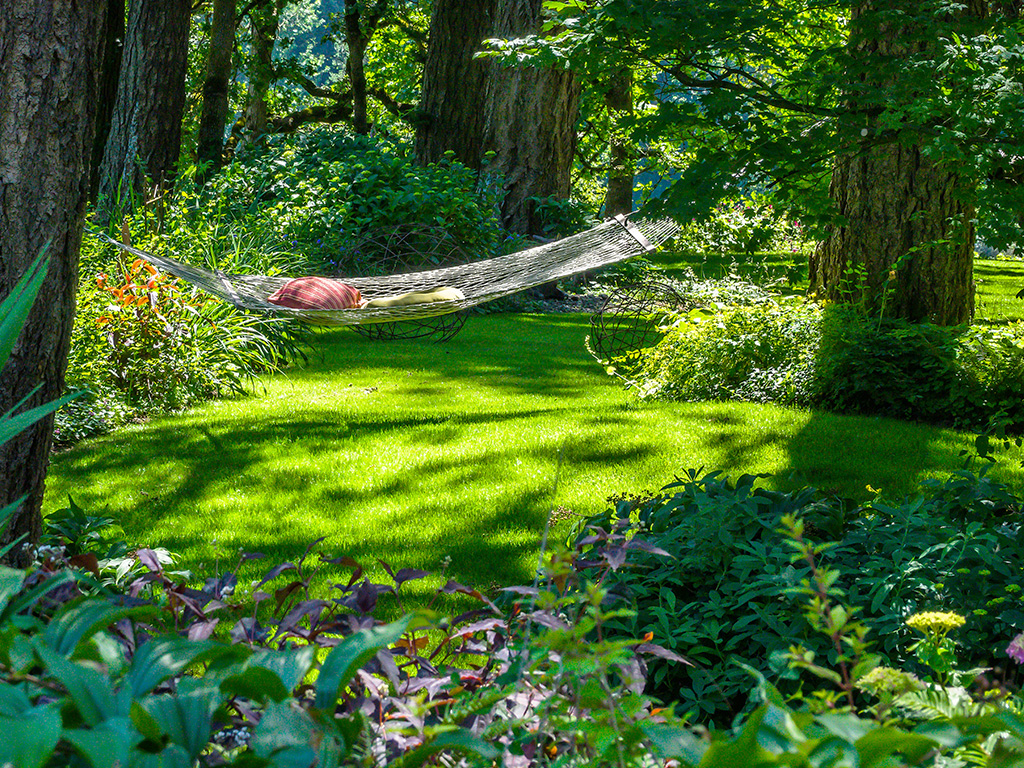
x=724, y=594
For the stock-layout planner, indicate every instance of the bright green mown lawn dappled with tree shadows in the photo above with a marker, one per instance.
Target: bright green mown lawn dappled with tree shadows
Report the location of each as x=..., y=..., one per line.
x=414, y=452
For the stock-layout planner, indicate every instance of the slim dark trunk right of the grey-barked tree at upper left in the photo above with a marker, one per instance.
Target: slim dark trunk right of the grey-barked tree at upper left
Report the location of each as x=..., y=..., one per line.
x=210, y=144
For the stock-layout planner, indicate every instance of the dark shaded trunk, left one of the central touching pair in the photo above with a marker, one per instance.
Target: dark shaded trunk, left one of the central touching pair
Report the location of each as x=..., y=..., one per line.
x=452, y=103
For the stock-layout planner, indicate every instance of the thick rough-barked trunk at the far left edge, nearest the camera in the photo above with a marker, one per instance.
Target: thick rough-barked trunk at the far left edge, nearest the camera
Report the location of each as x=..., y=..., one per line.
x=50, y=63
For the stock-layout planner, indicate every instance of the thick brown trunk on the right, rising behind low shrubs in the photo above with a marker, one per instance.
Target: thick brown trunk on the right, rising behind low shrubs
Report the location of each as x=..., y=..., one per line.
x=906, y=247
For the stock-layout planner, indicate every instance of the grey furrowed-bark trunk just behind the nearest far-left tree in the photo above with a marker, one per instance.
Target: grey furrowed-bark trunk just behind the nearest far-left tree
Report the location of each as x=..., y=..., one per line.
x=146, y=133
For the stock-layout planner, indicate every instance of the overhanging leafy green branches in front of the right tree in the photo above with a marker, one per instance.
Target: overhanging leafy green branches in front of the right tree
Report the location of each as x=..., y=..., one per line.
x=765, y=94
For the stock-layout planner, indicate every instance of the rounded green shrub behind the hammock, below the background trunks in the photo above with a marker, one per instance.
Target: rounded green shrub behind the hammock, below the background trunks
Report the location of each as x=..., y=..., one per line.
x=322, y=192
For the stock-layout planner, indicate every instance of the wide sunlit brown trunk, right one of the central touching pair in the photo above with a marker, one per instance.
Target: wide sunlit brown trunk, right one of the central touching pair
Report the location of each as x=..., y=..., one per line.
x=531, y=125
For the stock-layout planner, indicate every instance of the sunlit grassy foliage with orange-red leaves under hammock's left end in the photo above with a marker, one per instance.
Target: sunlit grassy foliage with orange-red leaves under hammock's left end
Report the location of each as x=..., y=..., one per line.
x=146, y=342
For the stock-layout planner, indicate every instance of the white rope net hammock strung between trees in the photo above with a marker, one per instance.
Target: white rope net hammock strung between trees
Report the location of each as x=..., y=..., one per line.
x=614, y=241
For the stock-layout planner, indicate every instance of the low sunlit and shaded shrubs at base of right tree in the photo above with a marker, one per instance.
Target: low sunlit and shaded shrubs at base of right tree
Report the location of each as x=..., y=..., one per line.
x=799, y=354
